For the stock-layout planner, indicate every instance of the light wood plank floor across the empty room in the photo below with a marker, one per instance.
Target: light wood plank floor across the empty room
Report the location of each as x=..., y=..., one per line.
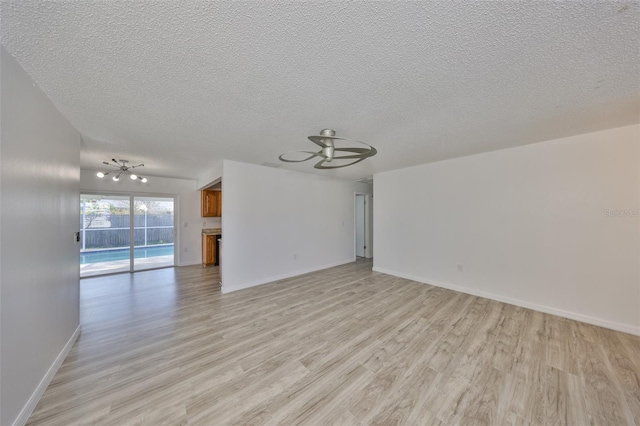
x=341, y=346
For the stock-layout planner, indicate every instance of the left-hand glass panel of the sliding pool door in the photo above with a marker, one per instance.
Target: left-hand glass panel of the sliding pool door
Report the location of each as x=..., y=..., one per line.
x=104, y=234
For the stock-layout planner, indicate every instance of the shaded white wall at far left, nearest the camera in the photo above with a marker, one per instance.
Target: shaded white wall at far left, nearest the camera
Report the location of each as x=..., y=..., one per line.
x=39, y=192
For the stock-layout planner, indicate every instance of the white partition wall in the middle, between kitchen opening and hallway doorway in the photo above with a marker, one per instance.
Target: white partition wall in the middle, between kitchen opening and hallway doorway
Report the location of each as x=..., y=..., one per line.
x=278, y=223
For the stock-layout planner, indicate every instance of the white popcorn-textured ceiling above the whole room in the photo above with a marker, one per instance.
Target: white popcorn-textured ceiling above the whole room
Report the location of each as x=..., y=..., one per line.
x=177, y=85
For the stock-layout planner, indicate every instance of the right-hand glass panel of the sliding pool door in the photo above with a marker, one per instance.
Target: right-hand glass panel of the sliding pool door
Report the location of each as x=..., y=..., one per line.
x=153, y=232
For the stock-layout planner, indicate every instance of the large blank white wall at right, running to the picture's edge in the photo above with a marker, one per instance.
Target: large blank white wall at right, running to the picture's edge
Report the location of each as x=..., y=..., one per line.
x=530, y=226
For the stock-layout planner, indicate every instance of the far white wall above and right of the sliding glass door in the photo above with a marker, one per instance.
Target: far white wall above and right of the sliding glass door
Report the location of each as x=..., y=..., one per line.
x=189, y=220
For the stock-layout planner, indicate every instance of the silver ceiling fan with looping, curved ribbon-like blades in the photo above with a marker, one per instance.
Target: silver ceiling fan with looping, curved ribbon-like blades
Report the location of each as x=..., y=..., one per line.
x=327, y=142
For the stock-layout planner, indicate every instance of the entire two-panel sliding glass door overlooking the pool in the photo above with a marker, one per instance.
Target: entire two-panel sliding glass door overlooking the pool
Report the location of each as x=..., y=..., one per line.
x=125, y=233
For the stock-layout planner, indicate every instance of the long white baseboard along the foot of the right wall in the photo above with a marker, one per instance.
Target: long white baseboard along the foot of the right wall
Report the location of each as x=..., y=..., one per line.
x=625, y=328
